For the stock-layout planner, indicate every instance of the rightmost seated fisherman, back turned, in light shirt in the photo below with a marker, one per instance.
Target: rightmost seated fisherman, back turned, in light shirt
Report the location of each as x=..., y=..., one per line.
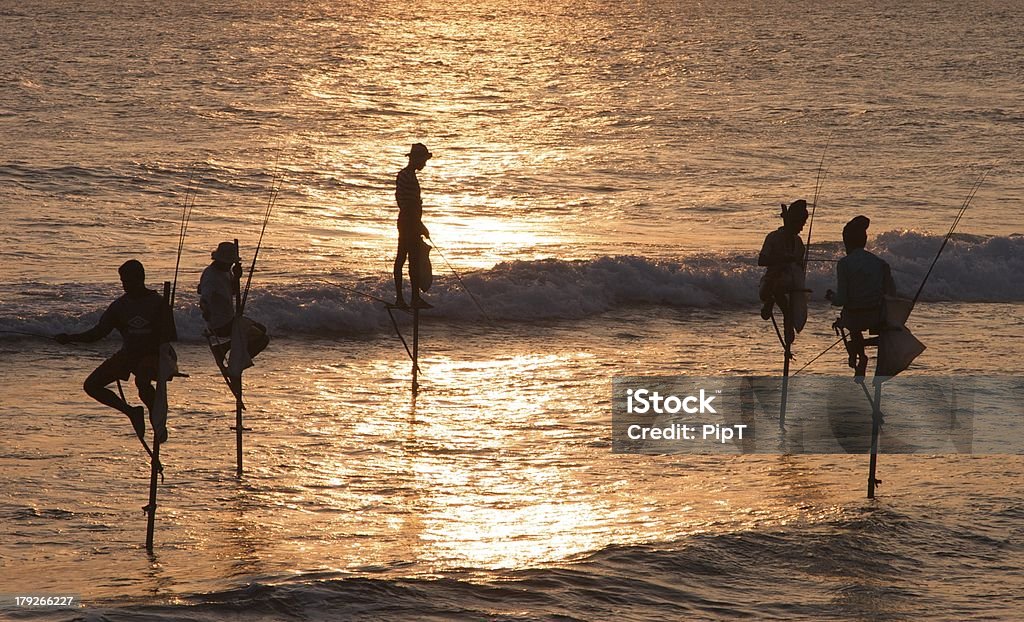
x=863, y=282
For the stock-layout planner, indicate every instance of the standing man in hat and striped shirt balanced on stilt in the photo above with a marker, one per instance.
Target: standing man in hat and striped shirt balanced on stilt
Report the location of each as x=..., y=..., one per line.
x=411, y=227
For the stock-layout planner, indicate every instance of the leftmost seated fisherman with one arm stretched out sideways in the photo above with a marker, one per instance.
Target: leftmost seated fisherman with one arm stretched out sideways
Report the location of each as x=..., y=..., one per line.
x=146, y=322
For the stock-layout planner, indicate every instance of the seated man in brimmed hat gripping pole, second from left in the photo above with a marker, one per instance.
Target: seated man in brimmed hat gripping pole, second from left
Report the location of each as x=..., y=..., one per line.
x=218, y=289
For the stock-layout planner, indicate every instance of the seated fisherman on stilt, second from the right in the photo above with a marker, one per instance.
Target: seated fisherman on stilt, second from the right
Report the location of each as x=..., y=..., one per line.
x=783, y=255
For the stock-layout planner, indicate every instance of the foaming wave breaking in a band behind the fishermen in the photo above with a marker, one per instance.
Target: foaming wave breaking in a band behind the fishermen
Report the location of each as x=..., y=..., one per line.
x=972, y=269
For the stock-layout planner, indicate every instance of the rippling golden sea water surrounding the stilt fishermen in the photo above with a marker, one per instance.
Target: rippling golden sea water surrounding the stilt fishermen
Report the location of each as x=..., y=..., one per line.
x=605, y=174
